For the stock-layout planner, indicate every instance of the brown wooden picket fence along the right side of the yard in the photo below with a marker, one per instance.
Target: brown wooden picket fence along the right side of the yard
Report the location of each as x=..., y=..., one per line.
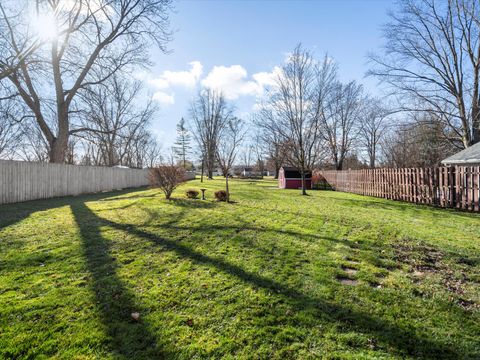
x=452, y=187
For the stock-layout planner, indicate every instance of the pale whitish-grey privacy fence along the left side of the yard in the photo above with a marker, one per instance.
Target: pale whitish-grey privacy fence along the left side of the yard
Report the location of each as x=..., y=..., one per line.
x=22, y=181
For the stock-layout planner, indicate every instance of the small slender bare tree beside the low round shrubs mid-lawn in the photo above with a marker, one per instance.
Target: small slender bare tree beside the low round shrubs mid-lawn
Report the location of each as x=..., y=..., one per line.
x=232, y=136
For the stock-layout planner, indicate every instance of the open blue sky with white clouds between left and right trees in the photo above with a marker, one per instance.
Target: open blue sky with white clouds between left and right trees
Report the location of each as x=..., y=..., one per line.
x=235, y=45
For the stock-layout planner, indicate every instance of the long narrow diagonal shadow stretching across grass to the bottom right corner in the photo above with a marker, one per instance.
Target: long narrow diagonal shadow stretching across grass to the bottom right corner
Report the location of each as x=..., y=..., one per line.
x=406, y=342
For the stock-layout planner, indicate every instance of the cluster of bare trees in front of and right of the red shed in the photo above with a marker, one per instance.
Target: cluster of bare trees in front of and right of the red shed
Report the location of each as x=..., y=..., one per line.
x=310, y=117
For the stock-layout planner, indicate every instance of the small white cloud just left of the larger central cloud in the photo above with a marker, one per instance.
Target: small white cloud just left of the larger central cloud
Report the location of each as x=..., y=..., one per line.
x=187, y=79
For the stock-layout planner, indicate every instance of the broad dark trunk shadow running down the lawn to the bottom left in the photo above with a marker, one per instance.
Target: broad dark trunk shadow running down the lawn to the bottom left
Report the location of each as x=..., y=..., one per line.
x=128, y=338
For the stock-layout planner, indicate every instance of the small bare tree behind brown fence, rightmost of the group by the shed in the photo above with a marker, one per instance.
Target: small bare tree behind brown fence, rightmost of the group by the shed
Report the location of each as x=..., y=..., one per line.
x=373, y=126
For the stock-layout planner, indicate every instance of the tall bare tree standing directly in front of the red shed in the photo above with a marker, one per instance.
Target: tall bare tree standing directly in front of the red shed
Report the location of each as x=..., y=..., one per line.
x=297, y=101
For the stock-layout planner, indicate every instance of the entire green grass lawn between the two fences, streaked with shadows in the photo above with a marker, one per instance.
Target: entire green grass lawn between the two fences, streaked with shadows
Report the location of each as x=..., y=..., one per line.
x=272, y=276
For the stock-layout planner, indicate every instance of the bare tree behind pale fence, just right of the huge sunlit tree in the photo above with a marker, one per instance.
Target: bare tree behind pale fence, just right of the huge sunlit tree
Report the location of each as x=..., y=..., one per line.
x=116, y=122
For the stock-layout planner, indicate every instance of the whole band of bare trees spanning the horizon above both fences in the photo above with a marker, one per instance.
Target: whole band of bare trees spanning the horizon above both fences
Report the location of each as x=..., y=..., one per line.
x=71, y=97
